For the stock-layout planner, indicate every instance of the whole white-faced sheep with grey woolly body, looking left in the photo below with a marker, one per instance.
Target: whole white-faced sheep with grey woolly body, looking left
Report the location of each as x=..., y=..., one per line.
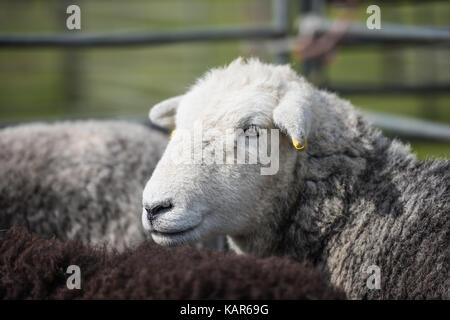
x=358, y=205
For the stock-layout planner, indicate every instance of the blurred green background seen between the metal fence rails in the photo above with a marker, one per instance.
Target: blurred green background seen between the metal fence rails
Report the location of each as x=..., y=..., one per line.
x=125, y=82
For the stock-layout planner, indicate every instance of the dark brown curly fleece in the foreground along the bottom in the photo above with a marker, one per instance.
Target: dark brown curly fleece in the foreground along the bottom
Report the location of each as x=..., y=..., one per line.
x=34, y=268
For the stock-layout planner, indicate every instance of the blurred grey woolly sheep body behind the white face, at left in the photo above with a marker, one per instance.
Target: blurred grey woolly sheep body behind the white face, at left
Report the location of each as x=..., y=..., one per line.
x=78, y=179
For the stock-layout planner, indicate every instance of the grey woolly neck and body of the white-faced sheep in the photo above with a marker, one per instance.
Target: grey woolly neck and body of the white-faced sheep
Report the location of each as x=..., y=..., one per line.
x=358, y=199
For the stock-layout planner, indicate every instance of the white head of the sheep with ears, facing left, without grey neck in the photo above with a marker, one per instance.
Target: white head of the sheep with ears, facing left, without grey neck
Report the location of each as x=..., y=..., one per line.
x=201, y=187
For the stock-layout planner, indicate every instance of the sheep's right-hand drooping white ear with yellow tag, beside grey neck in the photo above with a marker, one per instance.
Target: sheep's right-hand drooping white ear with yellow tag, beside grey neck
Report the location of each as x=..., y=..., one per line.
x=293, y=114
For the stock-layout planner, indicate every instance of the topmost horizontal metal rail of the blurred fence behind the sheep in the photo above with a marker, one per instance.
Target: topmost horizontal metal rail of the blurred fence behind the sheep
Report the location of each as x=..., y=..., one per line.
x=356, y=34
